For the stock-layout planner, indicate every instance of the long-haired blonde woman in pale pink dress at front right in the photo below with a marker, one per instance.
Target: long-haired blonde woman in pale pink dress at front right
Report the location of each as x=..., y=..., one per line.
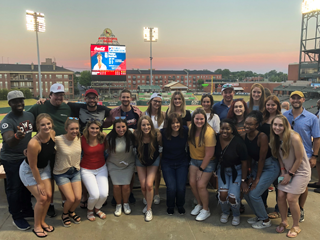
x=286, y=145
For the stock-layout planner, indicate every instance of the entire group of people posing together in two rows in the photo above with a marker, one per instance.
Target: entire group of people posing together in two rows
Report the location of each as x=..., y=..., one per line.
x=249, y=146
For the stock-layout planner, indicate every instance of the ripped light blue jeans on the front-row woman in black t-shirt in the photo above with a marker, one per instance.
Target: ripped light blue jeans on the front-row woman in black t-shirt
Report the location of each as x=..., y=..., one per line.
x=233, y=189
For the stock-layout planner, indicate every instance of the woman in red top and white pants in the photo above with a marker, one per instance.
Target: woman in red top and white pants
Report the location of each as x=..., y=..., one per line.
x=94, y=171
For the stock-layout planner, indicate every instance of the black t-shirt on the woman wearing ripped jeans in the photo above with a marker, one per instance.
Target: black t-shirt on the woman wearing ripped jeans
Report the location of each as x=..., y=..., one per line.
x=234, y=154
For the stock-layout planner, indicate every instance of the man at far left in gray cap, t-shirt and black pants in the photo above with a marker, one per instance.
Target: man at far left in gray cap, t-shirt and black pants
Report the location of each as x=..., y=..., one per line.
x=16, y=129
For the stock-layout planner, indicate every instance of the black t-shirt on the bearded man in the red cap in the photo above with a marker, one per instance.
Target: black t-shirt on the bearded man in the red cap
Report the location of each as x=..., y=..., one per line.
x=80, y=111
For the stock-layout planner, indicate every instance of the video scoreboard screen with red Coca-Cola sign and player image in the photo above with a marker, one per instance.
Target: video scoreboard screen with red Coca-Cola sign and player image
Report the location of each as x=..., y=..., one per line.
x=108, y=62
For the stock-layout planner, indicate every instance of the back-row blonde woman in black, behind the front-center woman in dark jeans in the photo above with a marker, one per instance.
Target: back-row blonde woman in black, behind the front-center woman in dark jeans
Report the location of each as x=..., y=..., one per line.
x=178, y=105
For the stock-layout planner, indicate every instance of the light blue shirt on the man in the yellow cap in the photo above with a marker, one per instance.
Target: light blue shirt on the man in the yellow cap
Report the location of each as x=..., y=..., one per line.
x=307, y=125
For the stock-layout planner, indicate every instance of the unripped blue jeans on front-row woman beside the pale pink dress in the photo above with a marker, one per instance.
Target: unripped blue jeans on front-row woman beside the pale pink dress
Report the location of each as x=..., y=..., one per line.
x=270, y=172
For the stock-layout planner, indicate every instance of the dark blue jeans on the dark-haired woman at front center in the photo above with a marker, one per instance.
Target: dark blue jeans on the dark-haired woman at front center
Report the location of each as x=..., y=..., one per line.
x=175, y=175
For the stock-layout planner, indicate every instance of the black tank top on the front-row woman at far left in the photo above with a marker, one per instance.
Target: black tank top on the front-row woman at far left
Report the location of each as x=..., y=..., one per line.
x=46, y=154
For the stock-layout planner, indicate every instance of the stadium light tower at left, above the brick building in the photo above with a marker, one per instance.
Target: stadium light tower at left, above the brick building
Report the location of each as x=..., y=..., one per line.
x=36, y=23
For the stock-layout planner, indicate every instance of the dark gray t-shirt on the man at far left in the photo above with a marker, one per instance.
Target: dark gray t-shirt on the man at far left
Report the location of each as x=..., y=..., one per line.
x=10, y=123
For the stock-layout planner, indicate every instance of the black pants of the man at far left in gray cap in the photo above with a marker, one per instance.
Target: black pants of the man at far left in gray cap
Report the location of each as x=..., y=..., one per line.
x=18, y=196
